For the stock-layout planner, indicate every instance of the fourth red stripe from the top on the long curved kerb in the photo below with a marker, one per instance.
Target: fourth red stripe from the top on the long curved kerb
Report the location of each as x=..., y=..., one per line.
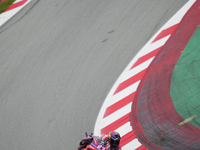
x=118, y=105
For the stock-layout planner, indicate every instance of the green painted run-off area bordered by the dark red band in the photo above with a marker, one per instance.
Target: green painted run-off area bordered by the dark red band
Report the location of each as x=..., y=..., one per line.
x=185, y=81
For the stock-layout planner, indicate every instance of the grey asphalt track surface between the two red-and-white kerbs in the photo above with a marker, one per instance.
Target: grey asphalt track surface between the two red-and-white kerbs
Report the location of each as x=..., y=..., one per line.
x=58, y=61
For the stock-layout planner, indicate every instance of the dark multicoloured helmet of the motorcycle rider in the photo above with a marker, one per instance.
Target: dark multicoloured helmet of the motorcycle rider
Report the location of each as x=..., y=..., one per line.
x=114, y=139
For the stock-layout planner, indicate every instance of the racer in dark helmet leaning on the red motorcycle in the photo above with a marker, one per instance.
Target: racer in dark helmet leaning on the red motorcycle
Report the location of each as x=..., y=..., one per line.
x=112, y=139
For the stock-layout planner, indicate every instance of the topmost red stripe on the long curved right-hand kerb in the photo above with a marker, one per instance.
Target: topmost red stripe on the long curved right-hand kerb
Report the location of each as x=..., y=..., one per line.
x=166, y=32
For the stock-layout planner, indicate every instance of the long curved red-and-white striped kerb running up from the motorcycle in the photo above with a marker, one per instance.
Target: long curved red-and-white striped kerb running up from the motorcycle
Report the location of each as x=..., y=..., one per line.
x=115, y=112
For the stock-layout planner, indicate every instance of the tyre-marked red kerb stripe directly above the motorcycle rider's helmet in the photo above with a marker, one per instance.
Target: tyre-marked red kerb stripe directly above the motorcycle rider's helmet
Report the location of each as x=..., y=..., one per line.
x=118, y=123
